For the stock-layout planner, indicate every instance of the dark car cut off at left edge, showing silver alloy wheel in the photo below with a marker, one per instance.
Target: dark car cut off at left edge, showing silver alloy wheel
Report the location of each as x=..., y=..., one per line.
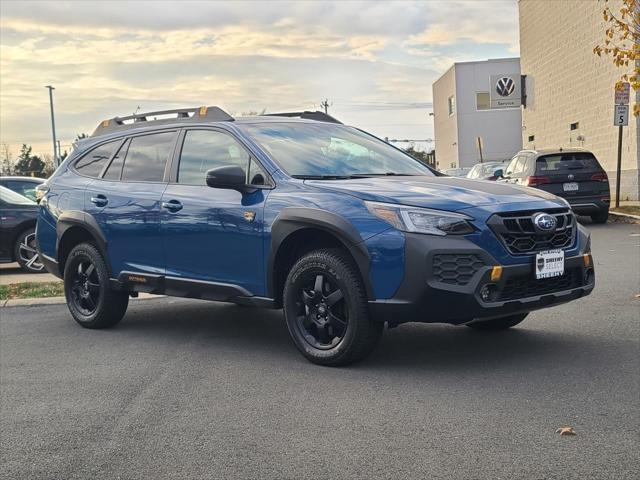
x=18, y=217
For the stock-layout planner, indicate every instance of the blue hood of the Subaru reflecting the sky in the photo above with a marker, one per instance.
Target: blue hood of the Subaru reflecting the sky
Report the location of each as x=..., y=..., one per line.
x=442, y=193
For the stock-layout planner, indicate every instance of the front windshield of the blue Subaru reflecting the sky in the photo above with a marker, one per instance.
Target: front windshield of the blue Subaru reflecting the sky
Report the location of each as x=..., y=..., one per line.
x=320, y=151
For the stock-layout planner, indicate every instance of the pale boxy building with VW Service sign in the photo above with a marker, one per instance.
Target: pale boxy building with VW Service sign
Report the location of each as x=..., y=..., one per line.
x=476, y=108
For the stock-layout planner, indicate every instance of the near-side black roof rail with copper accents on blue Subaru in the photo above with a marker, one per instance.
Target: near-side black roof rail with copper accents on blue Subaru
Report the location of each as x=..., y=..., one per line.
x=196, y=114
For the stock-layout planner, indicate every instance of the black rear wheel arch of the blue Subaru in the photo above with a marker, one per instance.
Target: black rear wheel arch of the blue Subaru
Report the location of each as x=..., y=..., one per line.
x=75, y=227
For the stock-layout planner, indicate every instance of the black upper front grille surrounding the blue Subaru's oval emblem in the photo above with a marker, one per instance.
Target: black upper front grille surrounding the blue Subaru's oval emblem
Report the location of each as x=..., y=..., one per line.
x=518, y=234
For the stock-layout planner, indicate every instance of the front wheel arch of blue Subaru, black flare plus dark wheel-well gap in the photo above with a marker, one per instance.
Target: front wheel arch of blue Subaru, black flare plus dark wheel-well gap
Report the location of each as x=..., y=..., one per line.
x=299, y=230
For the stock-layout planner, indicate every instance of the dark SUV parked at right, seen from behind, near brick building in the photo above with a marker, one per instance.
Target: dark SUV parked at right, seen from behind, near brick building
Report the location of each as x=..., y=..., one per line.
x=573, y=174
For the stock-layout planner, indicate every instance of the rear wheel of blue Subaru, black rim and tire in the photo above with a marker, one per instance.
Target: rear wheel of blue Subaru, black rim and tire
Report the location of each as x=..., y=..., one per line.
x=91, y=301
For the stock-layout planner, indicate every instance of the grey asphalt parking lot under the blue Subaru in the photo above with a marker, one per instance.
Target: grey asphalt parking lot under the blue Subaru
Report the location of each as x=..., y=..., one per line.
x=190, y=389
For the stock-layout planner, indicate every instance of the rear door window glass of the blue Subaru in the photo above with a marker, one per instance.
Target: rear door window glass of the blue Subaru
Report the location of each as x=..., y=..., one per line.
x=147, y=157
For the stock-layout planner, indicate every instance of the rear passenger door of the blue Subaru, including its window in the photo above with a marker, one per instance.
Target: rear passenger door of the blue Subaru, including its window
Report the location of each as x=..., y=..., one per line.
x=125, y=202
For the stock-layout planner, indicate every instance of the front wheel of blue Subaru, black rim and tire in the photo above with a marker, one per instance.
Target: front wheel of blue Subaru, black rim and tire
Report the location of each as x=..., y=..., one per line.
x=330, y=325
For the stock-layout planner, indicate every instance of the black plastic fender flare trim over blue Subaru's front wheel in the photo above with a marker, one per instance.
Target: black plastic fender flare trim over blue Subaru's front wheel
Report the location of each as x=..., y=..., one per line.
x=292, y=219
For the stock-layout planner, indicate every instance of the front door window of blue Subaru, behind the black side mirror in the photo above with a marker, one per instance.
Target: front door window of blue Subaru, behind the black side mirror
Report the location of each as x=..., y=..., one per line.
x=203, y=150
